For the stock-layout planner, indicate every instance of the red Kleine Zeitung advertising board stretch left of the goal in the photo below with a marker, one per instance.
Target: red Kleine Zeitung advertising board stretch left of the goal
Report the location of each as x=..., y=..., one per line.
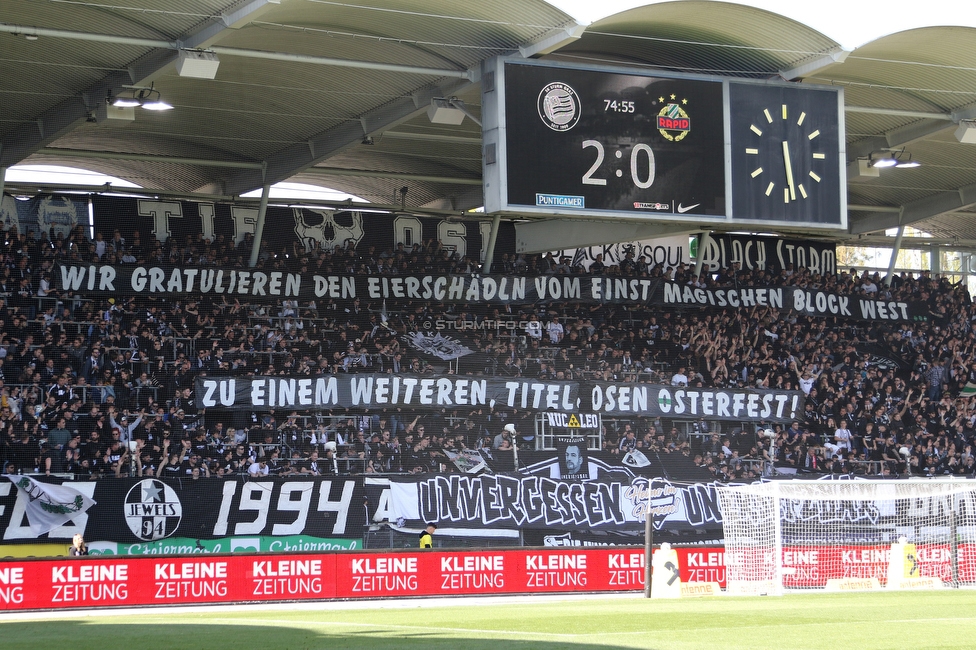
x=95, y=582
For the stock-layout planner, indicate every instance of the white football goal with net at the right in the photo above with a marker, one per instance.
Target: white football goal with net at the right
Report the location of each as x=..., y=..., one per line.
x=848, y=534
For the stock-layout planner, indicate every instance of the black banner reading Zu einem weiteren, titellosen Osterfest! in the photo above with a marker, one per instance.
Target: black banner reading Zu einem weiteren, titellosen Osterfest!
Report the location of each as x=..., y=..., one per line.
x=367, y=390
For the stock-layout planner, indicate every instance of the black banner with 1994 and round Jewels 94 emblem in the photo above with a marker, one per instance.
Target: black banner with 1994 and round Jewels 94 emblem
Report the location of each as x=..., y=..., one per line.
x=129, y=511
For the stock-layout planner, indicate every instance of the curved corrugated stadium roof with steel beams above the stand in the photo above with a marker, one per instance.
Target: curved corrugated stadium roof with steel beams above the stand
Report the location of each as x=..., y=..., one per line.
x=335, y=93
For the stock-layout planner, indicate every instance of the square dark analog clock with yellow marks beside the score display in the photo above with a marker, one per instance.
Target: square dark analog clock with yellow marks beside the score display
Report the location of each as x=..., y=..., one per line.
x=785, y=154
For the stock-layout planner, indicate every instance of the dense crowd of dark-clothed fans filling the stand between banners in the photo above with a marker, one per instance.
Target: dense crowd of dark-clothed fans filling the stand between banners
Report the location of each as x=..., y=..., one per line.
x=104, y=387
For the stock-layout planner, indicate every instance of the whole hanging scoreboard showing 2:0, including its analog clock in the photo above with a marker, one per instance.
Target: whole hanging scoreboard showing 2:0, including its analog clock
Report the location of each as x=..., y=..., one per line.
x=563, y=140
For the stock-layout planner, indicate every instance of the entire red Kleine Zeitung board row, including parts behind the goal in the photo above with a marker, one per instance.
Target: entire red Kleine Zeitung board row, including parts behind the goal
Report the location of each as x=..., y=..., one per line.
x=96, y=582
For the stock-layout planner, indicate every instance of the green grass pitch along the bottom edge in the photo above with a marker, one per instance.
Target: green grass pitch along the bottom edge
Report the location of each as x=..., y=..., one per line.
x=916, y=620
